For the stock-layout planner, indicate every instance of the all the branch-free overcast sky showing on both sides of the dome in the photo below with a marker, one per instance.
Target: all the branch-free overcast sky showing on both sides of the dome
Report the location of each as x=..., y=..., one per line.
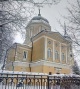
x=52, y=14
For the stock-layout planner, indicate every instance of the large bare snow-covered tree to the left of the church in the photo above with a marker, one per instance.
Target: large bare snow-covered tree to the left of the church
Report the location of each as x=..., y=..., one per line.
x=14, y=15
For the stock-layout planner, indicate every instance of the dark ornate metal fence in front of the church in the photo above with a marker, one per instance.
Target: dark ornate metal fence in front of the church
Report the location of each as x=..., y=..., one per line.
x=38, y=81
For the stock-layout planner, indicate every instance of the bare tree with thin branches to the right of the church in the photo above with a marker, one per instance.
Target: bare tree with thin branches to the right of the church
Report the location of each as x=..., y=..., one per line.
x=73, y=25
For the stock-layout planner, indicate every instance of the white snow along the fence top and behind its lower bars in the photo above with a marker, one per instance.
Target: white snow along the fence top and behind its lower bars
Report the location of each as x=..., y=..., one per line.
x=4, y=86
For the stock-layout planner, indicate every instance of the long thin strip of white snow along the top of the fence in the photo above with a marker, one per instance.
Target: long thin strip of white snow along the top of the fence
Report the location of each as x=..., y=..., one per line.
x=34, y=73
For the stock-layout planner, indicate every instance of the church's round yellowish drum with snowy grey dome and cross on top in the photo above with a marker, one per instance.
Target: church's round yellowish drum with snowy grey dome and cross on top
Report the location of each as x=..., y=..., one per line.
x=35, y=26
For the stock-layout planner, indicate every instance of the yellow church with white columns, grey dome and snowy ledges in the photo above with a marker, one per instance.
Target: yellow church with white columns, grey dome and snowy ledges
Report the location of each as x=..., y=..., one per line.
x=43, y=50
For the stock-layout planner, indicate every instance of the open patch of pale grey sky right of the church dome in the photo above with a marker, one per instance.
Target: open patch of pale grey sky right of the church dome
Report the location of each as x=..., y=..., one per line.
x=54, y=13
